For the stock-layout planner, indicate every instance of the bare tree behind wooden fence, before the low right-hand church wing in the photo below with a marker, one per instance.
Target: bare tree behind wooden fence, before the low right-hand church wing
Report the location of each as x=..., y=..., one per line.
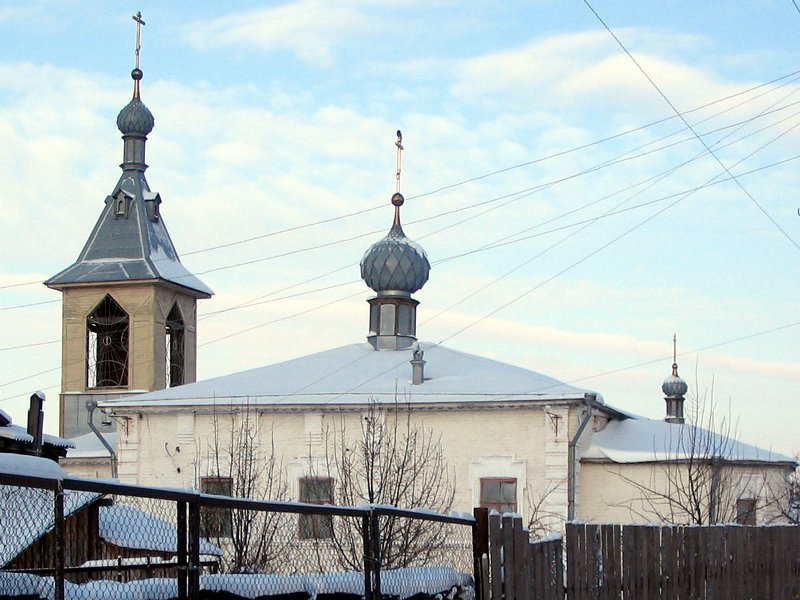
x=699, y=476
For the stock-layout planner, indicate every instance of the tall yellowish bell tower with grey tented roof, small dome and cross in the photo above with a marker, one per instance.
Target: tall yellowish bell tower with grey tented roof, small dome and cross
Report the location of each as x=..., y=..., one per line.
x=128, y=304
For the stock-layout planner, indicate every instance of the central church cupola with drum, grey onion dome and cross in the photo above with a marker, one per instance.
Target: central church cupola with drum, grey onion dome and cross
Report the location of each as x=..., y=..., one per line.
x=394, y=267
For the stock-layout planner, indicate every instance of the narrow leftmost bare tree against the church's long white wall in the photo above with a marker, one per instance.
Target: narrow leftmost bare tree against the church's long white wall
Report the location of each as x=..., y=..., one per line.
x=236, y=464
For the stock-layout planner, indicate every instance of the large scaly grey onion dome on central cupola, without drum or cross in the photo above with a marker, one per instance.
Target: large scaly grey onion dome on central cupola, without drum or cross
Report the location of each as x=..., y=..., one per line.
x=395, y=263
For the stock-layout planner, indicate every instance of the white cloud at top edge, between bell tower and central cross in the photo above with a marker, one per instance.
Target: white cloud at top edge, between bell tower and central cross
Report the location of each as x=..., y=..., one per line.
x=311, y=29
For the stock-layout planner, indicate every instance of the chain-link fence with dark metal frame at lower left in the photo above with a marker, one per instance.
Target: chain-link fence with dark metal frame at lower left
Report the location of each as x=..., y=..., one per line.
x=79, y=538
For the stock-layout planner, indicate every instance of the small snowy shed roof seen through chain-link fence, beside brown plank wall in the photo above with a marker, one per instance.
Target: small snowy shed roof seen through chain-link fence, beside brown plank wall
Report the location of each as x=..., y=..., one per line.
x=129, y=527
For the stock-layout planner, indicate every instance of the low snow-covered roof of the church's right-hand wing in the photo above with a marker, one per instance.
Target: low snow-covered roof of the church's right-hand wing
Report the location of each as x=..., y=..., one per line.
x=639, y=440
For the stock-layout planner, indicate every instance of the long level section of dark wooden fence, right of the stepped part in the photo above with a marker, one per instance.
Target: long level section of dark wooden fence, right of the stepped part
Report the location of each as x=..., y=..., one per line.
x=606, y=562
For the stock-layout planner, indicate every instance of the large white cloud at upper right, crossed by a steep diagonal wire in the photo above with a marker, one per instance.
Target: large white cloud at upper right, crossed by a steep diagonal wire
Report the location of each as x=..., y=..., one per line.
x=570, y=70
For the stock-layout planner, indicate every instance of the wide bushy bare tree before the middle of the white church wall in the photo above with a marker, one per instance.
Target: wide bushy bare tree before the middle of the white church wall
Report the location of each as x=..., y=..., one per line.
x=389, y=461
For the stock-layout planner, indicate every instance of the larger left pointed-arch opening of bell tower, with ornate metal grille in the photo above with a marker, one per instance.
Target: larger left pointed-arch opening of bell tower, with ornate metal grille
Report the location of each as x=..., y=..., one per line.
x=107, y=334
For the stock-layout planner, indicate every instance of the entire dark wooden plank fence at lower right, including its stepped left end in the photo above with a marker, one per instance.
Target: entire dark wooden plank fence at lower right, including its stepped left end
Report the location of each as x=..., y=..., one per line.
x=636, y=562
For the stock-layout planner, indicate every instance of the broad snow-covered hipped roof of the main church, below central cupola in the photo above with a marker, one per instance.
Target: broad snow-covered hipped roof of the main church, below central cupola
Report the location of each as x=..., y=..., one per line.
x=356, y=373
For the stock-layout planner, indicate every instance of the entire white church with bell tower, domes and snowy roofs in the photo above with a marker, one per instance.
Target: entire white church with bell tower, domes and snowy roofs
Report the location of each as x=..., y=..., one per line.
x=513, y=439
